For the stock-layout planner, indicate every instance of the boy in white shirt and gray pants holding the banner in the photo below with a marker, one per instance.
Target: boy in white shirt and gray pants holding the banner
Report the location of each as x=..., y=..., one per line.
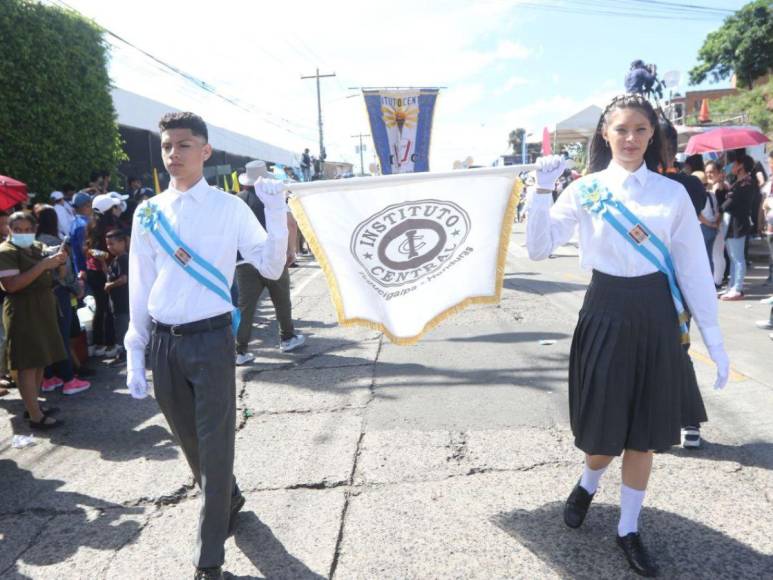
x=188, y=324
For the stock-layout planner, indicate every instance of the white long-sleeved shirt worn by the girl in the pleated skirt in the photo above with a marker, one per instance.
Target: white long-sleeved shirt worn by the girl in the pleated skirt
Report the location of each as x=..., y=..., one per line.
x=663, y=205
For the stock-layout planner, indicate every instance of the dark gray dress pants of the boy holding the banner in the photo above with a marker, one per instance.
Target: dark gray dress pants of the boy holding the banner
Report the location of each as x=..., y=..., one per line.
x=194, y=380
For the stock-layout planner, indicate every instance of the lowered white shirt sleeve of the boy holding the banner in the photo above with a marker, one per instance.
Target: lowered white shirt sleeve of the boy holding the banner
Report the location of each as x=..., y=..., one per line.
x=142, y=275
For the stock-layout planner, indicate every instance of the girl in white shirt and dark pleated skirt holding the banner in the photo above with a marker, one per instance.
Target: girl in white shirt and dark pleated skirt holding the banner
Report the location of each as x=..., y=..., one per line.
x=631, y=383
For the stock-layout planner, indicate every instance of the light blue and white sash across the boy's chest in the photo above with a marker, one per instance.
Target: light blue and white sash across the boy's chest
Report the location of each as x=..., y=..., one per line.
x=153, y=221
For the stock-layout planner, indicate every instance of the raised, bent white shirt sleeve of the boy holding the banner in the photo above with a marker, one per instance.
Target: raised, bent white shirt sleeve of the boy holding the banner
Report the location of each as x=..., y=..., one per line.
x=267, y=251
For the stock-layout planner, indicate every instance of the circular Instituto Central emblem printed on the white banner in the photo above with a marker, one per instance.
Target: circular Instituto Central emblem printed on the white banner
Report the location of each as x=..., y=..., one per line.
x=407, y=241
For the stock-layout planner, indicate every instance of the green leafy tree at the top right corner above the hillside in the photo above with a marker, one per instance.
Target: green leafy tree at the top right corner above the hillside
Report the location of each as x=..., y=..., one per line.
x=743, y=45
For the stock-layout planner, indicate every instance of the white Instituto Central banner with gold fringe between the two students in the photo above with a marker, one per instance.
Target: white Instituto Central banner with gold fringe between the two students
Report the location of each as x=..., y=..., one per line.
x=403, y=252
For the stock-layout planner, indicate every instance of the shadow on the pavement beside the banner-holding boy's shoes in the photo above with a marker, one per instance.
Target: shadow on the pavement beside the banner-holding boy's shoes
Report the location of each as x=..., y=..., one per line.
x=256, y=540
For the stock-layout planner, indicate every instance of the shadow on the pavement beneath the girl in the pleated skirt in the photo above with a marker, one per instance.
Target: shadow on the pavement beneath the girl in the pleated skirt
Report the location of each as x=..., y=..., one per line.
x=681, y=547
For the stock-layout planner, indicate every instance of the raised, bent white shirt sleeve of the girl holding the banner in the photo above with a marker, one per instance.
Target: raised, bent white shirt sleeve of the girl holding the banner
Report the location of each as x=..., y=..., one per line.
x=550, y=225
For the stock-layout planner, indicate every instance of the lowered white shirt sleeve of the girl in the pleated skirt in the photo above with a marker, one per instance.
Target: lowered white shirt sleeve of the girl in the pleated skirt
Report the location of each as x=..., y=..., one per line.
x=693, y=272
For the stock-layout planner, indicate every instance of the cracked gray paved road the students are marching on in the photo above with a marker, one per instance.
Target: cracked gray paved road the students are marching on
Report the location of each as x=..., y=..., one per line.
x=361, y=459
